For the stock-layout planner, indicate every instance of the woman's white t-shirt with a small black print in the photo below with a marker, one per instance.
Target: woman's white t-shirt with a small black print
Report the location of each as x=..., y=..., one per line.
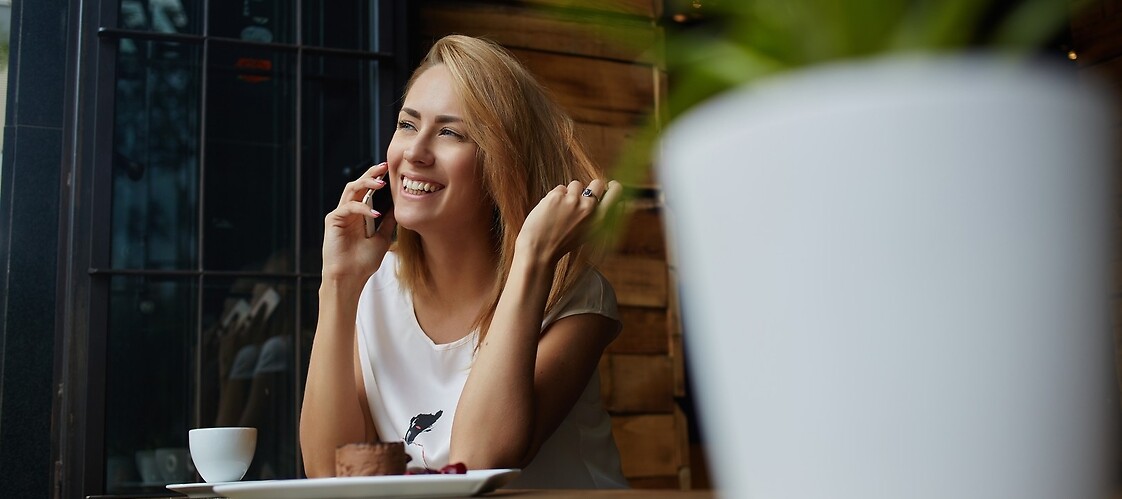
x=413, y=386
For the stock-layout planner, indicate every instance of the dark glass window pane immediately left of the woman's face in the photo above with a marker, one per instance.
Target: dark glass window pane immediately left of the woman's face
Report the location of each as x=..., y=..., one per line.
x=341, y=109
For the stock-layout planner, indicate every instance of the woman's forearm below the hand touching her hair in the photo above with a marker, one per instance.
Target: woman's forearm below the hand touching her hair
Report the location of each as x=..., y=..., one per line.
x=495, y=420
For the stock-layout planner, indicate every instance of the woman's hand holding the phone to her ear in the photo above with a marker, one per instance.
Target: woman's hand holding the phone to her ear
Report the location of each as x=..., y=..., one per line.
x=347, y=252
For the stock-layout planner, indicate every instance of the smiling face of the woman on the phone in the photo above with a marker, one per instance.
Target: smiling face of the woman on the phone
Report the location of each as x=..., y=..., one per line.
x=433, y=162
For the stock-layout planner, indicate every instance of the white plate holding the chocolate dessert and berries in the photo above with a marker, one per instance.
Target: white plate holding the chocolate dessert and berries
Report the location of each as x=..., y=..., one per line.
x=474, y=483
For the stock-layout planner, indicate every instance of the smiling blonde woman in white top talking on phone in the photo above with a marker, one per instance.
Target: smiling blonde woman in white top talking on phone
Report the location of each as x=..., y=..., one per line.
x=477, y=338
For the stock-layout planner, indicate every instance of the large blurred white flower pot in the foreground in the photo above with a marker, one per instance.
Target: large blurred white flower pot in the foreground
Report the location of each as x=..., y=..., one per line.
x=895, y=282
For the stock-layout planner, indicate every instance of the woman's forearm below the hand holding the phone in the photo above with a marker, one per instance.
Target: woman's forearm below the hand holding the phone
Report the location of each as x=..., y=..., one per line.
x=332, y=415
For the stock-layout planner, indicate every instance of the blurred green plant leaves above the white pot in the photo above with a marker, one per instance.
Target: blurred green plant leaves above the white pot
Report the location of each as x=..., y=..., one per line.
x=738, y=42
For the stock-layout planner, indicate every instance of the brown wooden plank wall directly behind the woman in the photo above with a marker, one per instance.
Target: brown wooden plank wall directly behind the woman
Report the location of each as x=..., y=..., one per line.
x=594, y=58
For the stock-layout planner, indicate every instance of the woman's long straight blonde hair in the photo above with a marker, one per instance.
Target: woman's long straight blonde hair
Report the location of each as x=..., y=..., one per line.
x=527, y=147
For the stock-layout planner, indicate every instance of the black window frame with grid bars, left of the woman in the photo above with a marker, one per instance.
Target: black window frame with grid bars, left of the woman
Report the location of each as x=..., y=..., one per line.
x=82, y=289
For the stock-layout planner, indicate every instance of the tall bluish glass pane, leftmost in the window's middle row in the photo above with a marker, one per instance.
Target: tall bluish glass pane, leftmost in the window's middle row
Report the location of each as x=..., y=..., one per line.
x=155, y=156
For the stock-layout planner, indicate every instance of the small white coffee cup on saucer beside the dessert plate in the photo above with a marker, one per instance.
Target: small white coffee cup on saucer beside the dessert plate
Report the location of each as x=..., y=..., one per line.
x=223, y=455
